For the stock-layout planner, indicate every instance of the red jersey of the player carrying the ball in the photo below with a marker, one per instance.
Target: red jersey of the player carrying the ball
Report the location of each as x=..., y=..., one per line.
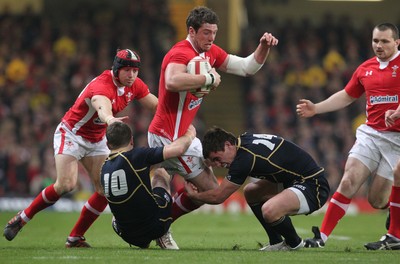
x=176, y=110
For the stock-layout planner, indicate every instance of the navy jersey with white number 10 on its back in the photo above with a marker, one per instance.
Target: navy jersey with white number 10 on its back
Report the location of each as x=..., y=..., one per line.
x=127, y=185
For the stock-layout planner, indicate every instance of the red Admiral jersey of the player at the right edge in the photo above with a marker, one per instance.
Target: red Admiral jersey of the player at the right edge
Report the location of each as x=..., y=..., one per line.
x=381, y=87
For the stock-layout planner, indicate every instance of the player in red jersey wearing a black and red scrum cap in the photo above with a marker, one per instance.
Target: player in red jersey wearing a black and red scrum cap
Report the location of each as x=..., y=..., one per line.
x=81, y=137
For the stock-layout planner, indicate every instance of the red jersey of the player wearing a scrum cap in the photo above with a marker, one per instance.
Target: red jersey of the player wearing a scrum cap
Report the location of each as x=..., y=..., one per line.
x=82, y=119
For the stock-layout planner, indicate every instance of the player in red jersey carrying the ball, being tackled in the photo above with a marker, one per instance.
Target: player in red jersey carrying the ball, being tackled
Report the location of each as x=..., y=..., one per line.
x=178, y=106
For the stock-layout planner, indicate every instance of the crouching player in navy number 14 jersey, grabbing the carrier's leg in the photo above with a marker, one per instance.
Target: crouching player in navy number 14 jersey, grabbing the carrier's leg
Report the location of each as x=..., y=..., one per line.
x=290, y=181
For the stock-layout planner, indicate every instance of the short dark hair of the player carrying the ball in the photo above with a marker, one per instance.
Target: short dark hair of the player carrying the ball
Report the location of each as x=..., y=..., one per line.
x=200, y=15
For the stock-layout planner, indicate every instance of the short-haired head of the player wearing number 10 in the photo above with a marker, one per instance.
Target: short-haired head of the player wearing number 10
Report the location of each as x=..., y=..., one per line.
x=118, y=135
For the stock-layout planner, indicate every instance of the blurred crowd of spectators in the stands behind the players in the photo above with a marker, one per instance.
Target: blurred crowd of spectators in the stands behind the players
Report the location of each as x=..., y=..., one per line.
x=46, y=61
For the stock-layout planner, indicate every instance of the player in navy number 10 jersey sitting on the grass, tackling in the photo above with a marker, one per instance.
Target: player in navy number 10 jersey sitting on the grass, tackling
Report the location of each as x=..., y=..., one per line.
x=142, y=210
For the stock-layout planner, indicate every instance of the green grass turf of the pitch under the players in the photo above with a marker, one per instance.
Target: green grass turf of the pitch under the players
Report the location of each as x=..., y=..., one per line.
x=203, y=238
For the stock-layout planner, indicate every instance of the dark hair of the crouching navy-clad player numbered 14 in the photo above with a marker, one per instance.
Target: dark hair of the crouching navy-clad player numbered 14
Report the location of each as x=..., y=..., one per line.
x=214, y=140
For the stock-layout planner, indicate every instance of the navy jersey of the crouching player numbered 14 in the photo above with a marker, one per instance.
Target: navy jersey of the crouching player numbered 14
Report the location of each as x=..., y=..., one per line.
x=272, y=158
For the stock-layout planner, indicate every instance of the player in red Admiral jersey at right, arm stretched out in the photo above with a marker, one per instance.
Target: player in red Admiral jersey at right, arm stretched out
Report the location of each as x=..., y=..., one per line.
x=377, y=149
